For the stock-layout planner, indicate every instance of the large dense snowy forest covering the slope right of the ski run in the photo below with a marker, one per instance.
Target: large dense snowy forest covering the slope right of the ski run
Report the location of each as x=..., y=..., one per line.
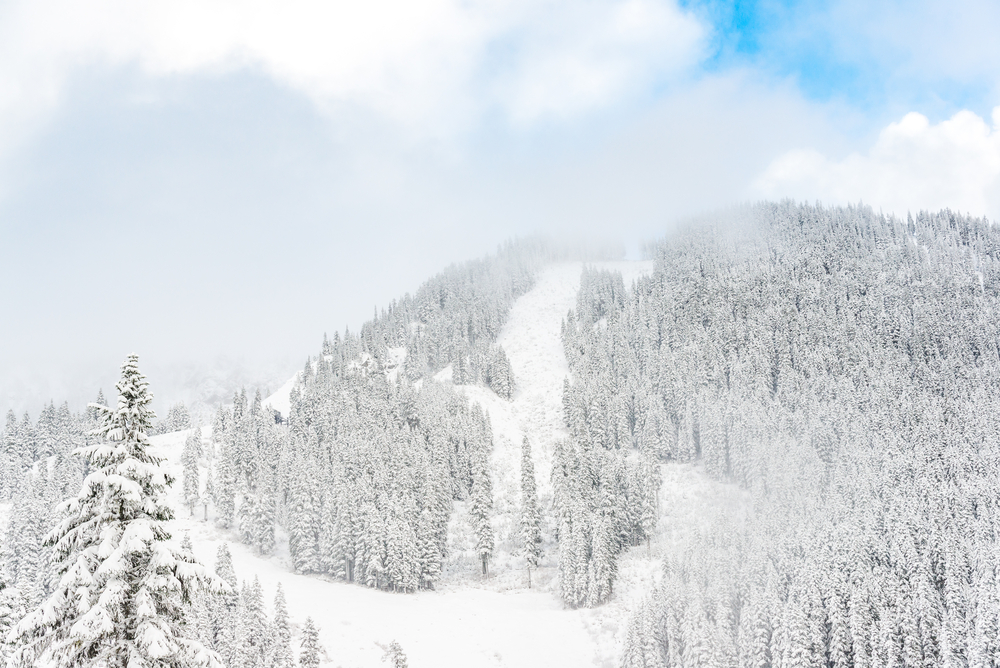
x=841, y=365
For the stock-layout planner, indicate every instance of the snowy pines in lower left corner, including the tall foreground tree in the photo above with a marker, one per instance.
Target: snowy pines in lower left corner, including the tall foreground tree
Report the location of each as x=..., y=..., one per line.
x=90, y=575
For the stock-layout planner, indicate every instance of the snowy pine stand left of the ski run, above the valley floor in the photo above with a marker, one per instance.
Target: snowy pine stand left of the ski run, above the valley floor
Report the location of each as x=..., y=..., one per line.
x=361, y=476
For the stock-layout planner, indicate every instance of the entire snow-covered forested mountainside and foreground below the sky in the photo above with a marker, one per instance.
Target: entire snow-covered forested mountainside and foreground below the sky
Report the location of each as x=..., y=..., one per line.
x=772, y=443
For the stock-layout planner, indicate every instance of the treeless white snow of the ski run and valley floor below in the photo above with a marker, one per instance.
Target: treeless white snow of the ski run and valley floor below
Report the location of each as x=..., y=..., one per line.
x=500, y=622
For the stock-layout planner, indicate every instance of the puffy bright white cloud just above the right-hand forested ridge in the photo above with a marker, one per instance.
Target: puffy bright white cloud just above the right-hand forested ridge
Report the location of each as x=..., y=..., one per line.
x=913, y=165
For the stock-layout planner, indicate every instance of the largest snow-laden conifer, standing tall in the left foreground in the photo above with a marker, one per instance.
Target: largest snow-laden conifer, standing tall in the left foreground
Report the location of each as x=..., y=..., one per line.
x=122, y=587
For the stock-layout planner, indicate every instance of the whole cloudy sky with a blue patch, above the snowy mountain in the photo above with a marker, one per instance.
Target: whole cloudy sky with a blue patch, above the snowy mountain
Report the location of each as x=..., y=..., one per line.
x=213, y=184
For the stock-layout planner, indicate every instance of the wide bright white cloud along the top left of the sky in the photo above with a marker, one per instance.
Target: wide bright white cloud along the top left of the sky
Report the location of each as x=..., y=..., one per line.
x=428, y=64
